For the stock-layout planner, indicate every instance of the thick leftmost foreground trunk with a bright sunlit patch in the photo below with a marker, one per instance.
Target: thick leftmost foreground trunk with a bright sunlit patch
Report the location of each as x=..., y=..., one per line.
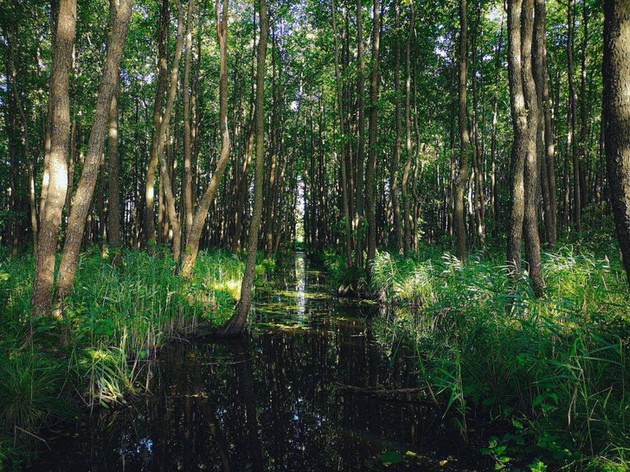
x=50, y=217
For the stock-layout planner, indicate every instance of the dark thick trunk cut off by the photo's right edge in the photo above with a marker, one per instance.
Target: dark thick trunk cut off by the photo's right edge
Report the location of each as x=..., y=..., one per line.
x=616, y=70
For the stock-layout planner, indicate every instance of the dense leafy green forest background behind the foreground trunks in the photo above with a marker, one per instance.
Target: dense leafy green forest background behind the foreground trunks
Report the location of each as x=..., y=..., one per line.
x=318, y=110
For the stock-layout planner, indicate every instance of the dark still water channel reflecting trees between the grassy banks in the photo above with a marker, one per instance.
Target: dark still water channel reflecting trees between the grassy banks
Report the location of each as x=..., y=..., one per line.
x=277, y=400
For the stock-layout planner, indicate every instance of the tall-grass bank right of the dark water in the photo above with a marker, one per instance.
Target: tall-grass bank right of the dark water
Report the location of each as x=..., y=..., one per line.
x=549, y=375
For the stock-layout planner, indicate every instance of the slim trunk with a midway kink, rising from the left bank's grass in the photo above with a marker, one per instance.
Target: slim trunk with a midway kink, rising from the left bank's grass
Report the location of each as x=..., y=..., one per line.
x=192, y=240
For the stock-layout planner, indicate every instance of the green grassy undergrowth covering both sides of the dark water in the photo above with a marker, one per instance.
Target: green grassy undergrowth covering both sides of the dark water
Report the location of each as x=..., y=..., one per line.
x=550, y=374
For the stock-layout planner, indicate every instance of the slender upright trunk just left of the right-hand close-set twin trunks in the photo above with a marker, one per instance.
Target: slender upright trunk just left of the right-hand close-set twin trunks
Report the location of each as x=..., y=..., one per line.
x=464, y=138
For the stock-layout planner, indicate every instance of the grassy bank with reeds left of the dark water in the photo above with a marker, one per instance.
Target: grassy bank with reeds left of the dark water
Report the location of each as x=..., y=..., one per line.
x=113, y=323
